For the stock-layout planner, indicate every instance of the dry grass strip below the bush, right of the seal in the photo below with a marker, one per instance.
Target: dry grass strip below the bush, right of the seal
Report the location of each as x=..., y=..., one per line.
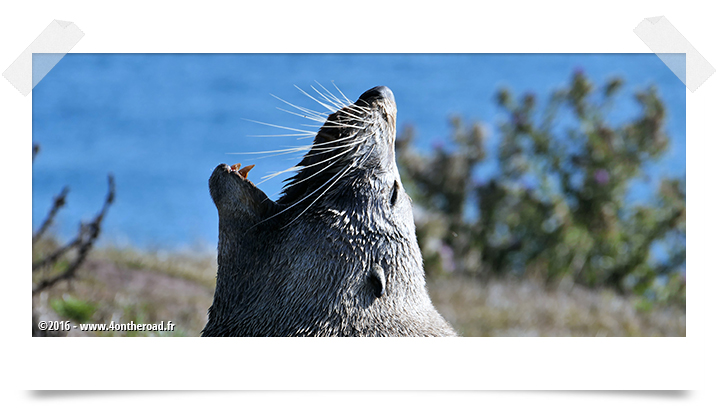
x=519, y=309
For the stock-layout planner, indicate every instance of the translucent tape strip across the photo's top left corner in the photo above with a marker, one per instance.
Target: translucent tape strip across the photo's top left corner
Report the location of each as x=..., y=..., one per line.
x=42, y=55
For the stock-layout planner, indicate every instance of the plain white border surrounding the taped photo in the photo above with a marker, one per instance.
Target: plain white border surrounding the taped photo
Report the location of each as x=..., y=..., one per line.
x=688, y=363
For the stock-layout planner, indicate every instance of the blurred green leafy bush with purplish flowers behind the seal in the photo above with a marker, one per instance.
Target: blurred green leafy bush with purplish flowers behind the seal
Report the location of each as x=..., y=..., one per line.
x=557, y=209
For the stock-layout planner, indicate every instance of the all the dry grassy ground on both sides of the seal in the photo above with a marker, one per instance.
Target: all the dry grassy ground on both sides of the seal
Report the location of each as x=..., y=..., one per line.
x=126, y=285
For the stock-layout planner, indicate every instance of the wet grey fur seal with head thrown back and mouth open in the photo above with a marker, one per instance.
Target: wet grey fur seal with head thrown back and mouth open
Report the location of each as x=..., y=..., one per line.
x=337, y=254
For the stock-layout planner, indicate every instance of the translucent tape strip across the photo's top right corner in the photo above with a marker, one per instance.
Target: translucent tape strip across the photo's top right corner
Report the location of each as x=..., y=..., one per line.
x=669, y=45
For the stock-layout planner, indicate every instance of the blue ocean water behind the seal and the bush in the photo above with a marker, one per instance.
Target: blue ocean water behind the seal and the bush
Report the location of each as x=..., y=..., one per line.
x=162, y=122
